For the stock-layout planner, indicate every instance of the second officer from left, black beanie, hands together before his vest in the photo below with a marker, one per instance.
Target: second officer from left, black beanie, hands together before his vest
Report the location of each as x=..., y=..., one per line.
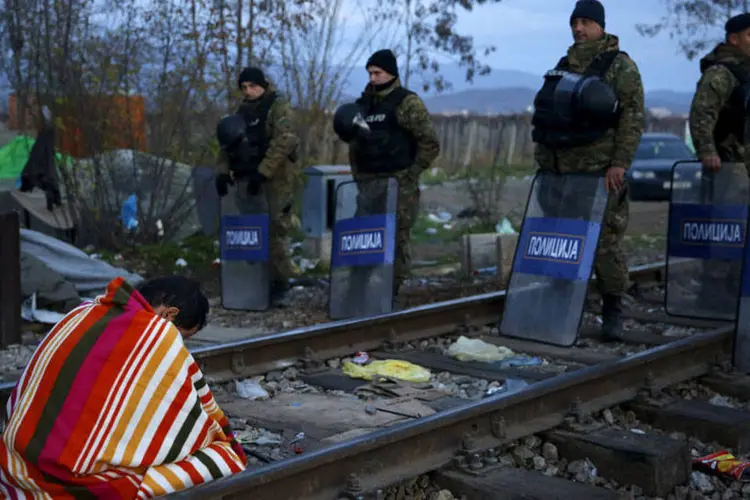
x=402, y=143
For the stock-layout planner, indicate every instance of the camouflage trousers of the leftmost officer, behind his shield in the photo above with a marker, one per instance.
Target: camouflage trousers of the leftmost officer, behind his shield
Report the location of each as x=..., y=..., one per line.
x=274, y=198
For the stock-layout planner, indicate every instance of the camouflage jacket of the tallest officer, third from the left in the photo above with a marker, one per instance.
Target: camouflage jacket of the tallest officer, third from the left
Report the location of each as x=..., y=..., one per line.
x=617, y=148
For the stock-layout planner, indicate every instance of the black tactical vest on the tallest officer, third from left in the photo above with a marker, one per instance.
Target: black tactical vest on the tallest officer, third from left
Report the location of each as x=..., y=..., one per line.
x=553, y=130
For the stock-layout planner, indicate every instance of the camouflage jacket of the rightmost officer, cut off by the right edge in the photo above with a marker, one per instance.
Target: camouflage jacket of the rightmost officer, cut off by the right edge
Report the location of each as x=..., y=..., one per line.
x=712, y=93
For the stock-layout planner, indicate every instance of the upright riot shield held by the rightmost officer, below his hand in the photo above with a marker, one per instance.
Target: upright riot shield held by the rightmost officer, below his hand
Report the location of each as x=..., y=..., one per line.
x=705, y=240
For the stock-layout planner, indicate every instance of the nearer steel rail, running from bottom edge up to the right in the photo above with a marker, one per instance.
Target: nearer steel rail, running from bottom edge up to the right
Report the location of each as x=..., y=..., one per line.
x=406, y=450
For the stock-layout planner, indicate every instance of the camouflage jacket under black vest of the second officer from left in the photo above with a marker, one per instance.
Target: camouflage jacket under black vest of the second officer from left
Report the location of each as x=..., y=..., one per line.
x=411, y=114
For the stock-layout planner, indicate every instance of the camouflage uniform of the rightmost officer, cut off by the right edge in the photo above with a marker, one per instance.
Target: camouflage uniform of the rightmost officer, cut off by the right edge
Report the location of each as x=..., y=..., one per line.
x=713, y=93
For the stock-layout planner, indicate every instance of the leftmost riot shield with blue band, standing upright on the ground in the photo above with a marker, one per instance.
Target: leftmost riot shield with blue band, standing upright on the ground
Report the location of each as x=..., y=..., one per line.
x=245, y=267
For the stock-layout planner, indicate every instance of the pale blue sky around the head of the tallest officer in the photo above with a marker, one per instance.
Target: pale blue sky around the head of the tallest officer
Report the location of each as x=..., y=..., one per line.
x=531, y=35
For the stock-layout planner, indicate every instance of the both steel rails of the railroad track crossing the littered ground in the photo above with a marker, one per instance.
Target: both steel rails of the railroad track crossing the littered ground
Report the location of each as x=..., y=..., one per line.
x=406, y=450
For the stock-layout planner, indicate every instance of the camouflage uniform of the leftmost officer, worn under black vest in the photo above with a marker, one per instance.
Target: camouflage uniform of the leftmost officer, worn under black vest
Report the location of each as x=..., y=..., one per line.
x=280, y=167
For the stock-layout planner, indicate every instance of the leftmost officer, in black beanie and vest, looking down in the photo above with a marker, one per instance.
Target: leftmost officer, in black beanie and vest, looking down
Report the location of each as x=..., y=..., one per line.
x=267, y=167
